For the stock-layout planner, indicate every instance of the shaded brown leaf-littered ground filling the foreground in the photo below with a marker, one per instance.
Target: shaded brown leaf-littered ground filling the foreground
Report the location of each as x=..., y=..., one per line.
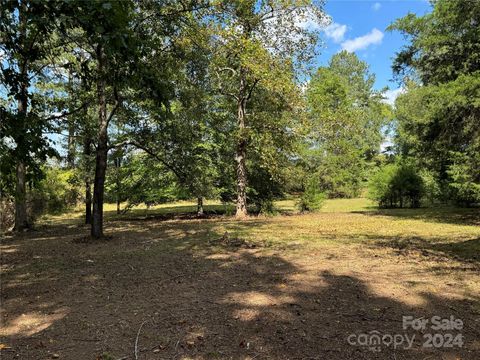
x=198, y=301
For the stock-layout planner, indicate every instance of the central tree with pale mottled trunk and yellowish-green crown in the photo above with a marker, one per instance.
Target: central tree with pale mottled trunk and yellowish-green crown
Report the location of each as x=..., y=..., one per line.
x=254, y=45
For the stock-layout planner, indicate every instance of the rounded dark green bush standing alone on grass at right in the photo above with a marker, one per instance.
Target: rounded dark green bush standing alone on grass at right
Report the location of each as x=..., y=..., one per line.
x=396, y=185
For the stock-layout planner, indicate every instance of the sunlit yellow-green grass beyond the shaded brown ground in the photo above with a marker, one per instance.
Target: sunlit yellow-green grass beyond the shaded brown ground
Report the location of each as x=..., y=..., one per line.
x=451, y=231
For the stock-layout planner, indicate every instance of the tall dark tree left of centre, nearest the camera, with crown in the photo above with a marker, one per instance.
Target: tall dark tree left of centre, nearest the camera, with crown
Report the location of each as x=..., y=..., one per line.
x=105, y=31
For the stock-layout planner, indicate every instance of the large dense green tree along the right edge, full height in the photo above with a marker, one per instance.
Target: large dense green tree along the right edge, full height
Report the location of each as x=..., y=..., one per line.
x=439, y=113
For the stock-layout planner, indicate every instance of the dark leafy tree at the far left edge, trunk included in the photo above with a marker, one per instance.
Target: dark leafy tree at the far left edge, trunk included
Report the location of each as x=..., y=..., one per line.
x=28, y=51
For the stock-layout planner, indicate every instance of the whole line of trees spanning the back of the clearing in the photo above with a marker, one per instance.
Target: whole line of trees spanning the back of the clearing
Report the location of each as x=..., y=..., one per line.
x=157, y=100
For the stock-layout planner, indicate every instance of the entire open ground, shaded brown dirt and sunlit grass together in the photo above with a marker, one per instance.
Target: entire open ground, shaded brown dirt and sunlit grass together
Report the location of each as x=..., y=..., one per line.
x=287, y=287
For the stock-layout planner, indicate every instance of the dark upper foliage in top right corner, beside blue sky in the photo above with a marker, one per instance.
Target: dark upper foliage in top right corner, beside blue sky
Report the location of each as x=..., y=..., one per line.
x=443, y=44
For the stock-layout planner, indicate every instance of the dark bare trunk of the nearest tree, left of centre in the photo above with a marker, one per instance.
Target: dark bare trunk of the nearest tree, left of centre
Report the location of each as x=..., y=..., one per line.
x=102, y=149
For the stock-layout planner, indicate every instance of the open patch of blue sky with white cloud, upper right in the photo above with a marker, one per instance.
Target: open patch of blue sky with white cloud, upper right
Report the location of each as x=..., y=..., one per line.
x=360, y=26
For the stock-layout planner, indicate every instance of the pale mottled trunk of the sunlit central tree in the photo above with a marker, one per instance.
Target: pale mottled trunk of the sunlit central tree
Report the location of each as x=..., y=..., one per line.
x=241, y=211
